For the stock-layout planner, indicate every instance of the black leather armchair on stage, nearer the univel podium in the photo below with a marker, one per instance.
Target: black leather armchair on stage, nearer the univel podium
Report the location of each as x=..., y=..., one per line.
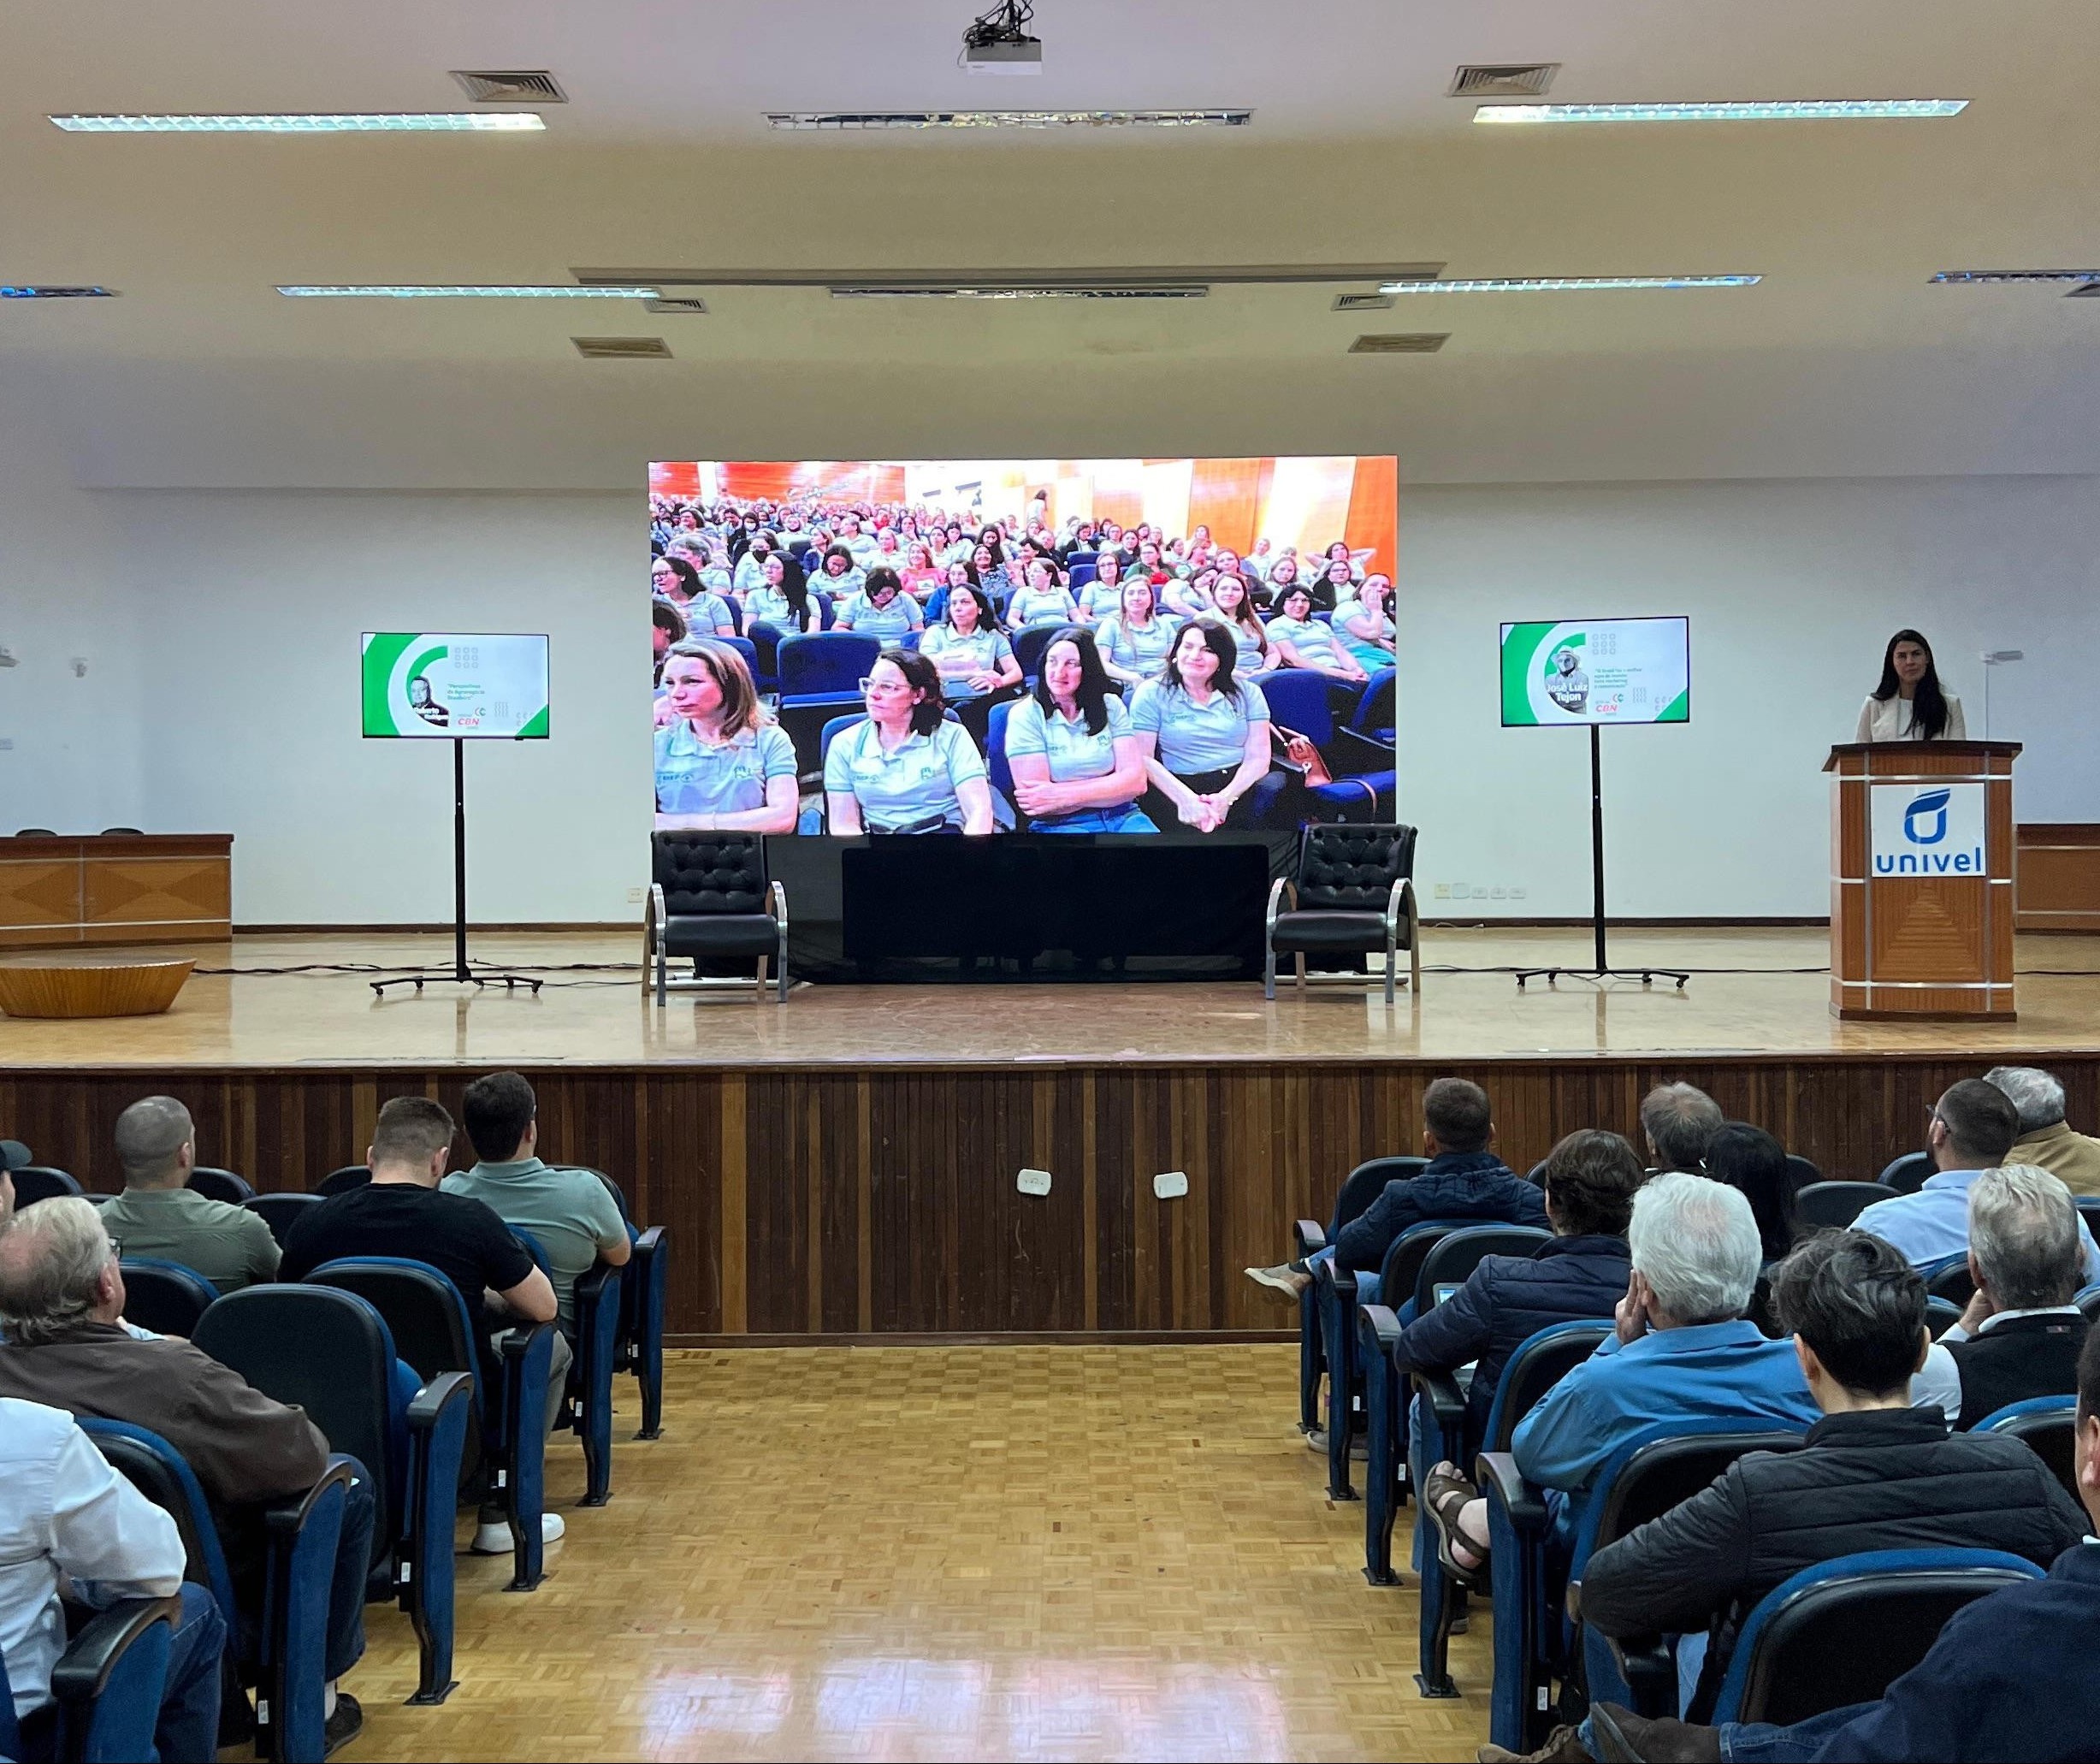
x=1351, y=896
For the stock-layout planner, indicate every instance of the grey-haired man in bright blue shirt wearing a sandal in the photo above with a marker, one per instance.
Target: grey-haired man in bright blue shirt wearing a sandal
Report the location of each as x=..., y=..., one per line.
x=1683, y=1349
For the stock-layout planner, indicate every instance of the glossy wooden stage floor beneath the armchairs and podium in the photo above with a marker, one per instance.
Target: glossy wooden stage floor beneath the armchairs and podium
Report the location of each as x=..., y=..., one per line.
x=1755, y=992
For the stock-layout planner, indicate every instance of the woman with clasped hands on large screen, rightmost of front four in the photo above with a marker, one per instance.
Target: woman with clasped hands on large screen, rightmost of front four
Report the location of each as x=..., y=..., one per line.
x=1204, y=734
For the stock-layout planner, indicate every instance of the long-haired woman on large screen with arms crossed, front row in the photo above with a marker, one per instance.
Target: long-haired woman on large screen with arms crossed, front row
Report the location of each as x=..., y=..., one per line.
x=1076, y=757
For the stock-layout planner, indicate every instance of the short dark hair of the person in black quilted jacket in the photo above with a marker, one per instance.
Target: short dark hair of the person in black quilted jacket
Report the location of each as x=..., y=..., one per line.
x=1860, y=1303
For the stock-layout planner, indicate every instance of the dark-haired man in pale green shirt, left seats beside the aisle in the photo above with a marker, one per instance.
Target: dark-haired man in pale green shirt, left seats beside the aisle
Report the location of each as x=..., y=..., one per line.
x=570, y=1213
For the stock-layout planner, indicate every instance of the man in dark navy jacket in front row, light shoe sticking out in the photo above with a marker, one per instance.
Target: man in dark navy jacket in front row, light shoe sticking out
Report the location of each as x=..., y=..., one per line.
x=1463, y=1181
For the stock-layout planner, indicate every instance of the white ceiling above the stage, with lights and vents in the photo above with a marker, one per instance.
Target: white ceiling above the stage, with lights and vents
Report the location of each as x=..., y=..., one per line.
x=1843, y=362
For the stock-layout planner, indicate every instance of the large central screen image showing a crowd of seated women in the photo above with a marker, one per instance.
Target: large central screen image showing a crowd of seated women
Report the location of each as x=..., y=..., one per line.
x=1125, y=648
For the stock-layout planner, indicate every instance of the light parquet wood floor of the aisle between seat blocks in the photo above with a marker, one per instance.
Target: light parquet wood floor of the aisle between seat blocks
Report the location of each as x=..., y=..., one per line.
x=942, y=1553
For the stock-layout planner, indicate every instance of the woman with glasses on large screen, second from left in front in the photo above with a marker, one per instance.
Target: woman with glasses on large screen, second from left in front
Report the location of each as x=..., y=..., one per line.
x=906, y=770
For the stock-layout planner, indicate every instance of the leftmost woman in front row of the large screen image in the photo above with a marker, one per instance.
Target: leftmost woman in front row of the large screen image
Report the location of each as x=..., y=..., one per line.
x=721, y=763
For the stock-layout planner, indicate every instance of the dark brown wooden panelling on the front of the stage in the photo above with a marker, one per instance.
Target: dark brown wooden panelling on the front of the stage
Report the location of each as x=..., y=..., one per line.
x=841, y=1204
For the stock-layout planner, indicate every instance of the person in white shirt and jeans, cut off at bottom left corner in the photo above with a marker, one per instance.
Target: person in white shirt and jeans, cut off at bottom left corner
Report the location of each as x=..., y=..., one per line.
x=64, y=1513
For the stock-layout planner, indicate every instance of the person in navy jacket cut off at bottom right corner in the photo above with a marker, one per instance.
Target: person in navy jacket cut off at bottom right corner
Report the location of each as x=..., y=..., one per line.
x=2011, y=1677
